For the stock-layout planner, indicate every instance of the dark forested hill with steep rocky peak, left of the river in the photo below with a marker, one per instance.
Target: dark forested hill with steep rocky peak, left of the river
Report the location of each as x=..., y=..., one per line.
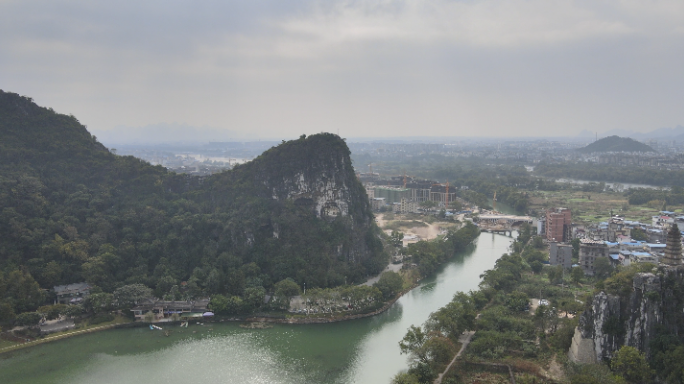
x=72, y=211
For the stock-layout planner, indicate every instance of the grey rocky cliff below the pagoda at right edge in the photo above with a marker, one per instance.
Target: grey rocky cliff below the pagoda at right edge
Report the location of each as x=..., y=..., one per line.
x=632, y=315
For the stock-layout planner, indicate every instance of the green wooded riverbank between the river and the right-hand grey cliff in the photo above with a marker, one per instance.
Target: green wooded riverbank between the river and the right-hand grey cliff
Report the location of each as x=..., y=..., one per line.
x=522, y=320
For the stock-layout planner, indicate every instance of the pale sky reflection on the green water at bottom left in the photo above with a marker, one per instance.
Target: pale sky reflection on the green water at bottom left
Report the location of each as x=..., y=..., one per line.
x=223, y=359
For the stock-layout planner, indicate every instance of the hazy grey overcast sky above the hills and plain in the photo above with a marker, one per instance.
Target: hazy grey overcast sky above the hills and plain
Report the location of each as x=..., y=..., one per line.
x=363, y=68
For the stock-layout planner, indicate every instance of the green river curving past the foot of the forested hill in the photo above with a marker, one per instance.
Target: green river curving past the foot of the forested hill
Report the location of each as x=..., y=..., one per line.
x=364, y=351
